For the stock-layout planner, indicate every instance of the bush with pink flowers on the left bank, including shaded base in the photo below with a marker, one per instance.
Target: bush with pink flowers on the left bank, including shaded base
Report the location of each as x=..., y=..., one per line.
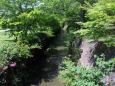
x=11, y=61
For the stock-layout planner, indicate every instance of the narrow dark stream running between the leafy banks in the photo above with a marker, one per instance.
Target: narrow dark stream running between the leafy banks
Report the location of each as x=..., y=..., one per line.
x=58, y=51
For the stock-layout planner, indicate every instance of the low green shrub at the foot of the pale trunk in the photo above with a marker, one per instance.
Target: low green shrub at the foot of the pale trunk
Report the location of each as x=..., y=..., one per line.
x=80, y=76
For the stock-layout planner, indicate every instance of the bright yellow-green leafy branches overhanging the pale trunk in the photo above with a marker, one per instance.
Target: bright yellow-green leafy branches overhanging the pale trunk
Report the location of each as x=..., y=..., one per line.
x=100, y=23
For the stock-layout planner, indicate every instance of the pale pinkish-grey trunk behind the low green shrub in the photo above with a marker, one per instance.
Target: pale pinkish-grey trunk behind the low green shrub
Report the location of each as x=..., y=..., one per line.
x=88, y=48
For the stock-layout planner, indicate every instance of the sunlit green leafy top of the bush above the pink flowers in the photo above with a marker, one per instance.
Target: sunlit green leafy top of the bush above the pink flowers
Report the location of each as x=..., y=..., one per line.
x=14, y=51
